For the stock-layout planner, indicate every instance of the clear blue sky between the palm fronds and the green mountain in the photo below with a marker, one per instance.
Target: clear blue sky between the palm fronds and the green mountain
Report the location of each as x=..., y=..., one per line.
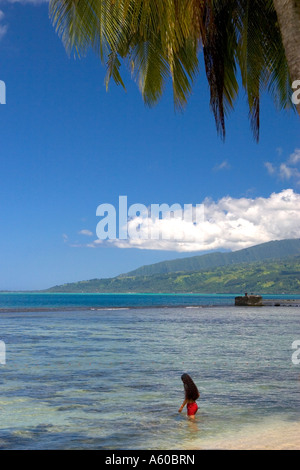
x=67, y=146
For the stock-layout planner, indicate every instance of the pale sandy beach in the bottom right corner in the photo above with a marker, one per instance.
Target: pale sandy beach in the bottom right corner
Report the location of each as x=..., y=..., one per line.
x=268, y=436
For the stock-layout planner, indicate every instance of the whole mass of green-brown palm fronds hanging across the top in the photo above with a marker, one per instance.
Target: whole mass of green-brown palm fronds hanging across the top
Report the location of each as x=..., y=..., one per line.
x=162, y=39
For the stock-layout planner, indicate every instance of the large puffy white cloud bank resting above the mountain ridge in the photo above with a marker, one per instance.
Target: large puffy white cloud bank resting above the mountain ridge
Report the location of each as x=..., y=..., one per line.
x=229, y=223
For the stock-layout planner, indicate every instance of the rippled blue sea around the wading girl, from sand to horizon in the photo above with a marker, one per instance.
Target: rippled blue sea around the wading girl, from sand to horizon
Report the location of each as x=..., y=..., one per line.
x=107, y=376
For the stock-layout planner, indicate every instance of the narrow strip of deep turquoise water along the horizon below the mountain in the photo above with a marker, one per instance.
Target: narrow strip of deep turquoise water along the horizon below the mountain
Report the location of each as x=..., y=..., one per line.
x=94, y=302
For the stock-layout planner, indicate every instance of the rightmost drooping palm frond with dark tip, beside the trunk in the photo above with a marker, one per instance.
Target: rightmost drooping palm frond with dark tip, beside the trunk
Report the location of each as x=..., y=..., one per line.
x=261, y=56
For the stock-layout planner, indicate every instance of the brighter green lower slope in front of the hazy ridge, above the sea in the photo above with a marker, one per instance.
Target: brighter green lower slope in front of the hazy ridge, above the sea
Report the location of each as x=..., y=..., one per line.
x=262, y=277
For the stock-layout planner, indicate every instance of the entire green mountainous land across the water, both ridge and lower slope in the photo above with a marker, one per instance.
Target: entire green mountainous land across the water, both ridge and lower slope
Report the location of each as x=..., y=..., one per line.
x=268, y=268
